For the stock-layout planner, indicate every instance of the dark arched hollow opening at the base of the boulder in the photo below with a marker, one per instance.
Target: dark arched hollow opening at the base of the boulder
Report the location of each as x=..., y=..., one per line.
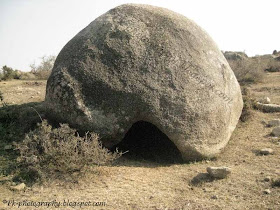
x=144, y=141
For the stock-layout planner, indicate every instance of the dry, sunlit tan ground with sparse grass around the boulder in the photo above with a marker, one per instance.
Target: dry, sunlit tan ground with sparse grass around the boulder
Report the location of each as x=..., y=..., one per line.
x=138, y=184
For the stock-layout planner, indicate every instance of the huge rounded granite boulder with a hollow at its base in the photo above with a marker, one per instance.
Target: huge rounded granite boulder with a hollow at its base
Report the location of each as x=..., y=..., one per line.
x=145, y=63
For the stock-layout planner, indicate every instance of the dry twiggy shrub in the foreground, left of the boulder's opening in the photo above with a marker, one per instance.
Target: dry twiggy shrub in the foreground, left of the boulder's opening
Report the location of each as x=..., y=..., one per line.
x=46, y=150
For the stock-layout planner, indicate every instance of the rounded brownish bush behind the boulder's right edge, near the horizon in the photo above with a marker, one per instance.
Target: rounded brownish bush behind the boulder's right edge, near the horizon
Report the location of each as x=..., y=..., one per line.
x=248, y=70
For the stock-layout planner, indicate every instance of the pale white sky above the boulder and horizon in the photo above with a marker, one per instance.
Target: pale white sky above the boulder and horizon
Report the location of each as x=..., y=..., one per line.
x=30, y=29
